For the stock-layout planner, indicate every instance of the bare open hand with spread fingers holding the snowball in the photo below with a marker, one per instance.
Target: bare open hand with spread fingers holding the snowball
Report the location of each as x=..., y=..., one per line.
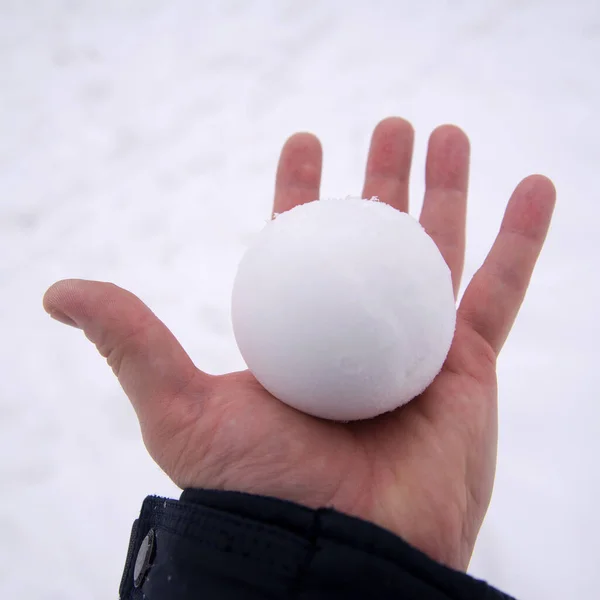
x=424, y=471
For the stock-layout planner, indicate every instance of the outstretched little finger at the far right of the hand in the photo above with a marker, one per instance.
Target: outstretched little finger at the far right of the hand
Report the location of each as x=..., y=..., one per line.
x=493, y=298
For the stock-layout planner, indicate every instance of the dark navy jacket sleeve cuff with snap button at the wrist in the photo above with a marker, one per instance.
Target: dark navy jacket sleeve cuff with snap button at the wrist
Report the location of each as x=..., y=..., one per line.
x=228, y=545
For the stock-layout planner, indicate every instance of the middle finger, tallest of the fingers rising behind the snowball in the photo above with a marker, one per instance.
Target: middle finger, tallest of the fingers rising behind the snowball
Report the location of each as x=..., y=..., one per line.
x=388, y=164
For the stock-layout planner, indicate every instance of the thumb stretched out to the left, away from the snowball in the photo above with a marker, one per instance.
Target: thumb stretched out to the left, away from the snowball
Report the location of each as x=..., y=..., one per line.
x=149, y=362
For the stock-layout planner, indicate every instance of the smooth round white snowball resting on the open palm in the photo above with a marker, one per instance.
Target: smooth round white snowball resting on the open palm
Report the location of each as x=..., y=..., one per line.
x=344, y=309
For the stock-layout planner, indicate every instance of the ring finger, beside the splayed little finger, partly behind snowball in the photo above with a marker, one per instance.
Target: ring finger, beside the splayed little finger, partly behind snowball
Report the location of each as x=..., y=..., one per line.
x=444, y=209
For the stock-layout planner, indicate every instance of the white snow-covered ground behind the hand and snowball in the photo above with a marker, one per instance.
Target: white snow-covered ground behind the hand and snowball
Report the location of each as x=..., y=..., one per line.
x=138, y=144
